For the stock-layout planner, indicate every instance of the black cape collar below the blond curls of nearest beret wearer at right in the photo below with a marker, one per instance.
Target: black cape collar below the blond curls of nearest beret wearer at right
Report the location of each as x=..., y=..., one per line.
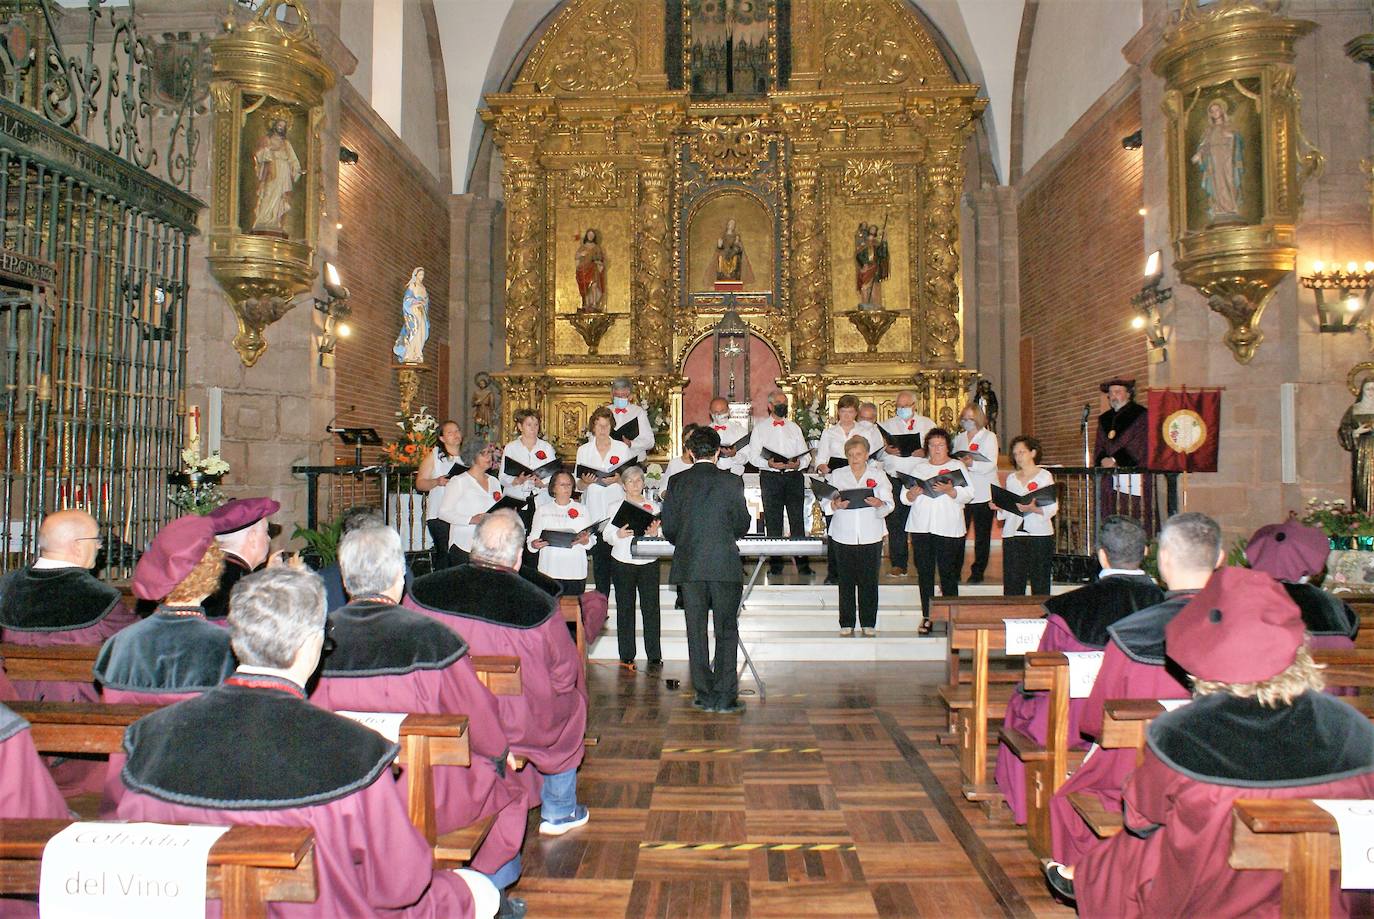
x=1221, y=740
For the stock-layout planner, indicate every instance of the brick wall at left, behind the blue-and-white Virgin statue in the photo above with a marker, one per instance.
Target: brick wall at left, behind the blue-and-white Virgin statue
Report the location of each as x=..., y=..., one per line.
x=395, y=219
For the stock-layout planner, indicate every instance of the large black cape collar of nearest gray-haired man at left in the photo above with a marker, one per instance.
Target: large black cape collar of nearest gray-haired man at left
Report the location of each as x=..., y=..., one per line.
x=241, y=748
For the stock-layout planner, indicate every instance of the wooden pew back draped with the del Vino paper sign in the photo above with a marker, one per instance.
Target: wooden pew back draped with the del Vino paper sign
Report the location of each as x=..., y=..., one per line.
x=248, y=869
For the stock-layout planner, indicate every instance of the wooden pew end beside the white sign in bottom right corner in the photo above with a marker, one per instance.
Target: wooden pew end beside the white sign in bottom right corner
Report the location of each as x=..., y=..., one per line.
x=1292, y=836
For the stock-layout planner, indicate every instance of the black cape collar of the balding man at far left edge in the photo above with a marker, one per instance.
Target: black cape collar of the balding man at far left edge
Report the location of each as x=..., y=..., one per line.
x=54, y=600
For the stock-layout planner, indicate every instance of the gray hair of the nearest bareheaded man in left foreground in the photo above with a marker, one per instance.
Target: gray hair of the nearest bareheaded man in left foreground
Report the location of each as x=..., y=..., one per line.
x=274, y=613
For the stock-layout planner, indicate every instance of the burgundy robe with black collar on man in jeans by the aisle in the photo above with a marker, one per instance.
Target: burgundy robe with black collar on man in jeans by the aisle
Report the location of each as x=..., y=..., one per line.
x=499, y=612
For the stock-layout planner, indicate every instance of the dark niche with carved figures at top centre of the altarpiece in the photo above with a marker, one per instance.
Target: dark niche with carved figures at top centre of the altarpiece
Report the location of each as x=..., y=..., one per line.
x=730, y=47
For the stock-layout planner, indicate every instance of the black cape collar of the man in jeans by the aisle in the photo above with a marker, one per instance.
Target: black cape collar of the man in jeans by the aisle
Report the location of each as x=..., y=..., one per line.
x=493, y=595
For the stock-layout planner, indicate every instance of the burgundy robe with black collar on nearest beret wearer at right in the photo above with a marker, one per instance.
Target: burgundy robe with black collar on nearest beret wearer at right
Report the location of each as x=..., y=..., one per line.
x=1200, y=760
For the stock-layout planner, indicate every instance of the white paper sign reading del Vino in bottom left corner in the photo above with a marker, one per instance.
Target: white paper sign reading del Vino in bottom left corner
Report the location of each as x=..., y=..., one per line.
x=126, y=872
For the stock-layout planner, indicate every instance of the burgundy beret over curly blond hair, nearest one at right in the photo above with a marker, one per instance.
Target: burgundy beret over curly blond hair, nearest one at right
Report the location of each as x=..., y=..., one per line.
x=1240, y=628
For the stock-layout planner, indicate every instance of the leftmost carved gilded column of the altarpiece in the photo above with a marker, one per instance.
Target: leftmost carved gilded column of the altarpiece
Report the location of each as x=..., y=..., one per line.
x=524, y=256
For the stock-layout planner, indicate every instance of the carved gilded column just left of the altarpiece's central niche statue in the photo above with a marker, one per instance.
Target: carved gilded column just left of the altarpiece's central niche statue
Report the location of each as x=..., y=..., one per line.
x=652, y=288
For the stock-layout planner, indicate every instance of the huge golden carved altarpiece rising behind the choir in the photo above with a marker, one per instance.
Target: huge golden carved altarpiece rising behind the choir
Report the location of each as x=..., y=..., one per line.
x=800, y=161
